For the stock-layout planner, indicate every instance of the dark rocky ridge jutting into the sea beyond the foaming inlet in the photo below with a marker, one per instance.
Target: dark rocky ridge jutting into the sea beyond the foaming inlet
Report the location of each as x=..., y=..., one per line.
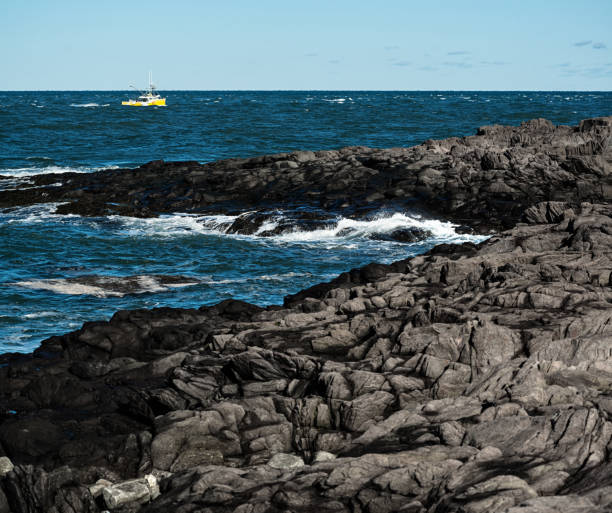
x=485, y=181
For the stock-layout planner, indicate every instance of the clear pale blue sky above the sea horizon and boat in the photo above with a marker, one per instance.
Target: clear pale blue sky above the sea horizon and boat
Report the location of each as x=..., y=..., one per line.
x=308, y=44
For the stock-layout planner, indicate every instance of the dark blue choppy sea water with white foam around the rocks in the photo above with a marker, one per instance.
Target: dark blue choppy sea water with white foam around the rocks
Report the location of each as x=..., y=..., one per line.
x=58, y=271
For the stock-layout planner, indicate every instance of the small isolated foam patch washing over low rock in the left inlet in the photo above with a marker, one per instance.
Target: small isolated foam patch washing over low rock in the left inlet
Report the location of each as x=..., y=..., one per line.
x=109, y=286
